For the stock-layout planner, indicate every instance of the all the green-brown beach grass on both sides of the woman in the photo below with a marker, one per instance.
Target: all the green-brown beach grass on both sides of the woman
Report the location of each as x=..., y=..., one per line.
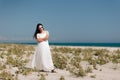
x=78, y=61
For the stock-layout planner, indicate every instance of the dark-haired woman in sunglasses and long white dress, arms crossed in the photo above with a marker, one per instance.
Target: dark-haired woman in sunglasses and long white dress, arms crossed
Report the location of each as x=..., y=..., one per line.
x=42, y=59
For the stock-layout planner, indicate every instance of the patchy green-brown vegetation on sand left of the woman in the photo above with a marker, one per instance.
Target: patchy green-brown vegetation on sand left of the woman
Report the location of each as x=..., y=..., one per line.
x=11, y=55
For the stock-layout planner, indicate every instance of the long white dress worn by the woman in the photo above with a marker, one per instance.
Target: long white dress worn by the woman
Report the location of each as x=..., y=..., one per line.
x=42, y=59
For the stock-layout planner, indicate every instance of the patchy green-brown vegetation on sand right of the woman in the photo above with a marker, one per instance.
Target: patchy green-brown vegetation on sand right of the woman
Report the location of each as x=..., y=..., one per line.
x=76, y=55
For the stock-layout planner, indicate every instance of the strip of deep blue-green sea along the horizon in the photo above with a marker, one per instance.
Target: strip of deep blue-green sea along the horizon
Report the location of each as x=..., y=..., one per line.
x=79, y=44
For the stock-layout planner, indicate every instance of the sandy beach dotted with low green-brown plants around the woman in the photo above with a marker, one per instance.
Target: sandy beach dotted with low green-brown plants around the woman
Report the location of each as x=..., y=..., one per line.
x=71, y=63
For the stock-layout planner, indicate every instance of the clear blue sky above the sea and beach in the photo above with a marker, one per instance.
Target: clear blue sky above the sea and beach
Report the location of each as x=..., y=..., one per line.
x=66, y=20
